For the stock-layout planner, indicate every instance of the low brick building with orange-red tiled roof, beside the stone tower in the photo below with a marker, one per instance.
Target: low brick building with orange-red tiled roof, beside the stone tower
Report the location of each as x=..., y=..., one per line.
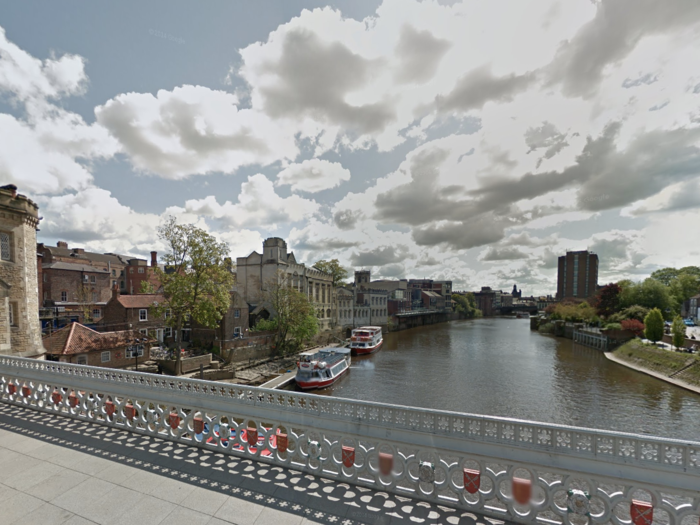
x=81, y=345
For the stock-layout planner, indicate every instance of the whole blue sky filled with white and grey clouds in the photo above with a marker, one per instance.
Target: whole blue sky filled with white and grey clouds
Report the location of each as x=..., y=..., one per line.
x=473, y=141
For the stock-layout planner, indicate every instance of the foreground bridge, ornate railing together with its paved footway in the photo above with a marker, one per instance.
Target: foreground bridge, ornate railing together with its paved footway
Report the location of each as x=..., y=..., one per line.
x=305, y=457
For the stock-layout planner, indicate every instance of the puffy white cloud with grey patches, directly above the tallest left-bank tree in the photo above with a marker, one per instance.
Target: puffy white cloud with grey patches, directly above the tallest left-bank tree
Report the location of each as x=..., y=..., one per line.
x=193, y=130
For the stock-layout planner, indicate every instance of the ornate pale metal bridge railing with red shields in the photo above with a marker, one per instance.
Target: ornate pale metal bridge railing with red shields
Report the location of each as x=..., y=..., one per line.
x=505, y=468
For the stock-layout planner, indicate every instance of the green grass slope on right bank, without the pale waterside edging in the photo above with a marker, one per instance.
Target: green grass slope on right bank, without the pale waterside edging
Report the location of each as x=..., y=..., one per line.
x=659, y=360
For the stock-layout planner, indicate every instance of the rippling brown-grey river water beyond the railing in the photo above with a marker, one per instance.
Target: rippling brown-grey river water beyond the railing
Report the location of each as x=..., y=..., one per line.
x=499, y=367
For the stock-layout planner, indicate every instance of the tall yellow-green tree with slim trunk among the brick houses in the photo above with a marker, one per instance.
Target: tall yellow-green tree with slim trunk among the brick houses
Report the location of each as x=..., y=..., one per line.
x=197, y=281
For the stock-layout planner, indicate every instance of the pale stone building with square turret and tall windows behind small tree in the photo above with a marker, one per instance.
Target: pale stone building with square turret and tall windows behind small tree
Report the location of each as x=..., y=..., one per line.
x=257, y=273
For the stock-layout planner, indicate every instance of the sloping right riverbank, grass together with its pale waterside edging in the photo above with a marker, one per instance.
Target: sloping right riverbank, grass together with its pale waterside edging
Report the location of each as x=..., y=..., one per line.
x=679, y=369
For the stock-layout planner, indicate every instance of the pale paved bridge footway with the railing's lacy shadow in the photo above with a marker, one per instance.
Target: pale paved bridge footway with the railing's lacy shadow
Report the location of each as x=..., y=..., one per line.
x=56, y=470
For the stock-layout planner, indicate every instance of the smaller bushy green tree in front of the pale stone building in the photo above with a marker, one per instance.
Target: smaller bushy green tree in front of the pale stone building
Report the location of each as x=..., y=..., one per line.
x=293, y=313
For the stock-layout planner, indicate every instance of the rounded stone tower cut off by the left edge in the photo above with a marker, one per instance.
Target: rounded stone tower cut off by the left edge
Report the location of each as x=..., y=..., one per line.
x=20, y=331
